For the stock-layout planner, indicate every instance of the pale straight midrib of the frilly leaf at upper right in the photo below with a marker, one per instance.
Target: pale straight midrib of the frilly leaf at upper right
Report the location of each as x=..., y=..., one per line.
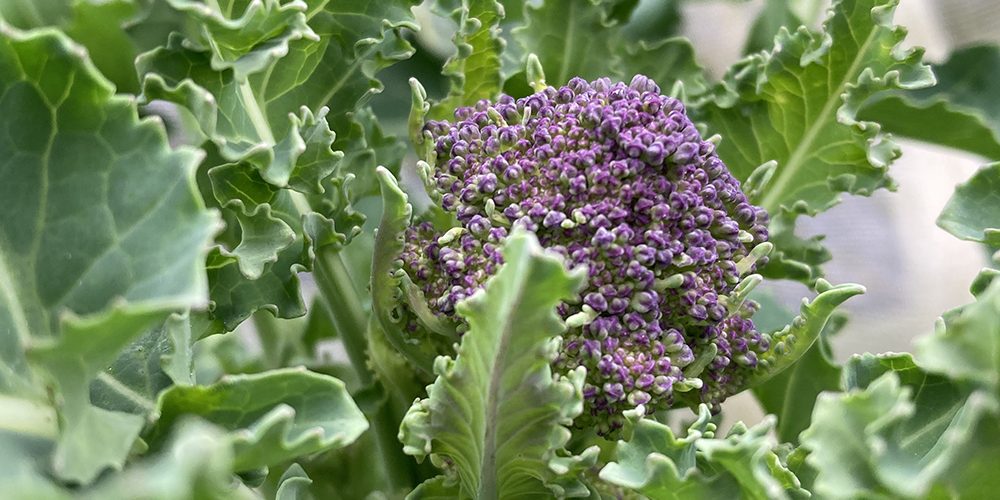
x=797, y=160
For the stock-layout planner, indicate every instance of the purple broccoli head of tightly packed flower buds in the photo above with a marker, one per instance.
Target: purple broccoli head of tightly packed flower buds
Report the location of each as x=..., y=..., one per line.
x=616, y=178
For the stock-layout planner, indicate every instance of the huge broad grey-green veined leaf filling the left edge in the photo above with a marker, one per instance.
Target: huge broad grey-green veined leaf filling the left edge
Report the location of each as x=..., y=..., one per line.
x=145, y=229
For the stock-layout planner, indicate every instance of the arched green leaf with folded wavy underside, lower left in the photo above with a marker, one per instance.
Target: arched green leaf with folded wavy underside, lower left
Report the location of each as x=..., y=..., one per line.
x=271, y=417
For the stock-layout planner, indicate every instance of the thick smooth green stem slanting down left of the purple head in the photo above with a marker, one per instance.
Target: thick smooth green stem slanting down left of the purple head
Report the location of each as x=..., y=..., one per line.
x=339, y=297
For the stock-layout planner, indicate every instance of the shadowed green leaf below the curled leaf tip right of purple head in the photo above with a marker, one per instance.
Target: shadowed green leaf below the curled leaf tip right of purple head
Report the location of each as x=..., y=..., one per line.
x=790, y=394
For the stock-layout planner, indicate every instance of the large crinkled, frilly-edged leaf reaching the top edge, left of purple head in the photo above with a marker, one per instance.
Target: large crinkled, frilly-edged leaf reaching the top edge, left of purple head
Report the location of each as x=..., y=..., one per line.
x=251, y=76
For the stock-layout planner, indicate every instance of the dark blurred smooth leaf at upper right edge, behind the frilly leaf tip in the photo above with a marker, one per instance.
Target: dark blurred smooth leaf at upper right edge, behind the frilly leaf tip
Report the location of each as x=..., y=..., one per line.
x=962, y=106
